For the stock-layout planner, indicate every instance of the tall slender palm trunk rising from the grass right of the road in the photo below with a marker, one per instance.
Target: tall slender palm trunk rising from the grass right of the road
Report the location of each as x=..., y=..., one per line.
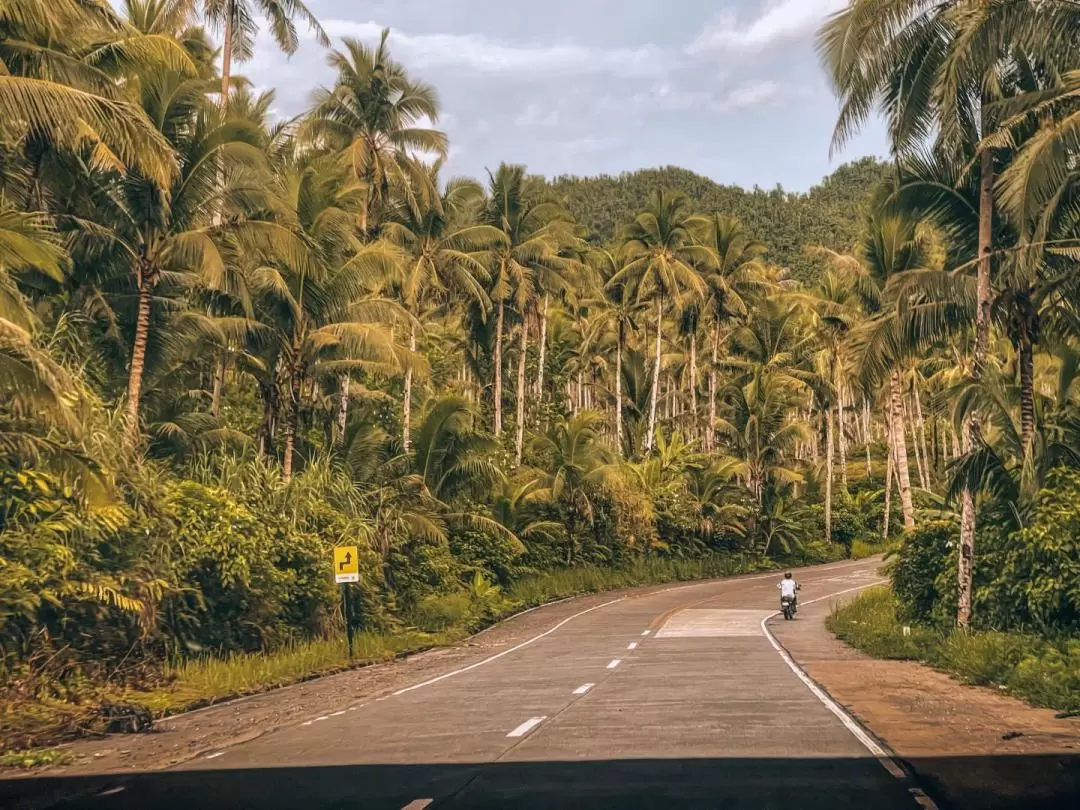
x=967, y=558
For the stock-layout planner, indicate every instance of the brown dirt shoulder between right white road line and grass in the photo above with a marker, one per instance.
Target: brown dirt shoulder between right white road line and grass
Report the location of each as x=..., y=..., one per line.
x=975, y=748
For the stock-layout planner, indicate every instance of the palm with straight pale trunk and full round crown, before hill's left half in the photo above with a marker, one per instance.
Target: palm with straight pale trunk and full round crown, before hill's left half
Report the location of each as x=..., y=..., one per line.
x=661, y=258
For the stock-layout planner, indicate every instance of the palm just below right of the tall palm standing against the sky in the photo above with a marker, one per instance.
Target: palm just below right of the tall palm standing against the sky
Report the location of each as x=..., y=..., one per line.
x=445, y=260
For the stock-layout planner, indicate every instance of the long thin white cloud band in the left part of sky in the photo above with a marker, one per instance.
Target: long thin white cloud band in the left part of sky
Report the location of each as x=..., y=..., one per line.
x=482, y=55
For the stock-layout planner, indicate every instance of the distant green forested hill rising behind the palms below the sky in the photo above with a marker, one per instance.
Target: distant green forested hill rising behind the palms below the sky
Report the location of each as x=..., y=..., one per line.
x=827, y=215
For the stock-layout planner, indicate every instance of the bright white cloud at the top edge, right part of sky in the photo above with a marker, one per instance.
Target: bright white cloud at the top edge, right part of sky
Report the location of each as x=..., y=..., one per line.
x=777, y=23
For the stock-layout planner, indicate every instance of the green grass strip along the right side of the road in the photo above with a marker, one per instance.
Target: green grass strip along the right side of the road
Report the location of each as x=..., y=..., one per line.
x=1045, y=672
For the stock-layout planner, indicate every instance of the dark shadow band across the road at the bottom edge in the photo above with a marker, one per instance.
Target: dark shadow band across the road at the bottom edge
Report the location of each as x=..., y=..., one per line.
x=630, y=784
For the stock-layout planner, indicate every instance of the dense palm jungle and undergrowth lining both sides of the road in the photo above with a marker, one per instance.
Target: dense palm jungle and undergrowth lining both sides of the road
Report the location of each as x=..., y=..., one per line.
x=228, y=344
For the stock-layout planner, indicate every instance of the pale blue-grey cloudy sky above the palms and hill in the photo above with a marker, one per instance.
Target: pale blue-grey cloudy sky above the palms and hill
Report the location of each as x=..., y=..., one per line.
x=731, y=89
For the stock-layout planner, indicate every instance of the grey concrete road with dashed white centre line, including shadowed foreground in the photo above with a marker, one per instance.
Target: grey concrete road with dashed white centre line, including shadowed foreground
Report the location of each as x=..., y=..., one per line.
x=679, y=698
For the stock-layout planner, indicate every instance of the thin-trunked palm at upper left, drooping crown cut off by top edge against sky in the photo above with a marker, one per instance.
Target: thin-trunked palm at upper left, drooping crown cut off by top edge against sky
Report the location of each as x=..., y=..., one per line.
x=238, y=19
